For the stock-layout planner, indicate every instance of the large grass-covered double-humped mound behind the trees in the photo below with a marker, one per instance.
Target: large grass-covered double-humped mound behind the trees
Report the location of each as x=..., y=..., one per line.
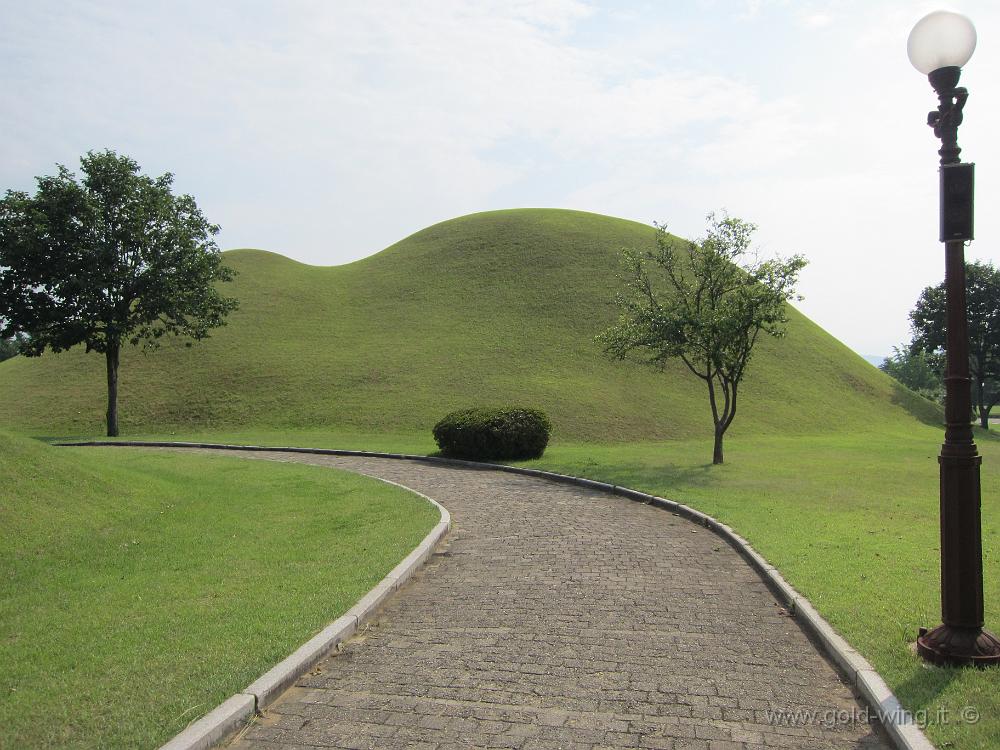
x=492, y=308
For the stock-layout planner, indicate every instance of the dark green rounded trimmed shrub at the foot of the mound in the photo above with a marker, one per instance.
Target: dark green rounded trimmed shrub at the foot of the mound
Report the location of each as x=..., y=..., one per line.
x=501, y=434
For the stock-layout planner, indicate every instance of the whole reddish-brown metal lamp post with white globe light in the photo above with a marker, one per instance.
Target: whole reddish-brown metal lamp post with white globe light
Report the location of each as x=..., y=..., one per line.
x=939, y=45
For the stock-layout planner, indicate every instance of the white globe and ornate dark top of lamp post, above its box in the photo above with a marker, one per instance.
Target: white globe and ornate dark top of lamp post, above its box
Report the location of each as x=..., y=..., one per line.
x=939, y=45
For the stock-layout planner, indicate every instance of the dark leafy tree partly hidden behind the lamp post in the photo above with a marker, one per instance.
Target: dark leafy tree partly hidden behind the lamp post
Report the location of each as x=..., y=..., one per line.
x=929, y=323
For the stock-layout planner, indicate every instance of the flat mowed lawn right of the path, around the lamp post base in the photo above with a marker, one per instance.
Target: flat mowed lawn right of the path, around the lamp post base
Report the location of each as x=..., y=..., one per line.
x=851, y=521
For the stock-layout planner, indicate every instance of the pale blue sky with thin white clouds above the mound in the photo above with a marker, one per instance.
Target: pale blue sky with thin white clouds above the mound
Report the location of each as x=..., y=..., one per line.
x=328, y=130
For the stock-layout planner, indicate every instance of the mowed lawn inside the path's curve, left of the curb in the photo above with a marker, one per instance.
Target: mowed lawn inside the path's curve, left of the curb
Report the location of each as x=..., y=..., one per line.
x=140, y=589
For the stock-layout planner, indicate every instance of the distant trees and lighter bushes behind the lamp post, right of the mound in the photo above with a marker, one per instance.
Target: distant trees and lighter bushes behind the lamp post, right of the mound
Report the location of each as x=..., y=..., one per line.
x=920, y=365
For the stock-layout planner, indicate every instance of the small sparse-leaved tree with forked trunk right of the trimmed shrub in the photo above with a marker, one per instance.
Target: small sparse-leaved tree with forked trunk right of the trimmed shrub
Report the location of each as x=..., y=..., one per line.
x=706, y=303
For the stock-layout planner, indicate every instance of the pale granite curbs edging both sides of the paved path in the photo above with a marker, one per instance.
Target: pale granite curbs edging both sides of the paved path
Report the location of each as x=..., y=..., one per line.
x=898, y=723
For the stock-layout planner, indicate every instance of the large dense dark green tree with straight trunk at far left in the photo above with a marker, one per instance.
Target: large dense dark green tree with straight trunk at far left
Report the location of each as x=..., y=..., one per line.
x=114, y=259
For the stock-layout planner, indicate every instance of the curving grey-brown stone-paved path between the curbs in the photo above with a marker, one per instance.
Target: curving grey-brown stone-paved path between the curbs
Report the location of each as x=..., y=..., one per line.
x=561, y=617
